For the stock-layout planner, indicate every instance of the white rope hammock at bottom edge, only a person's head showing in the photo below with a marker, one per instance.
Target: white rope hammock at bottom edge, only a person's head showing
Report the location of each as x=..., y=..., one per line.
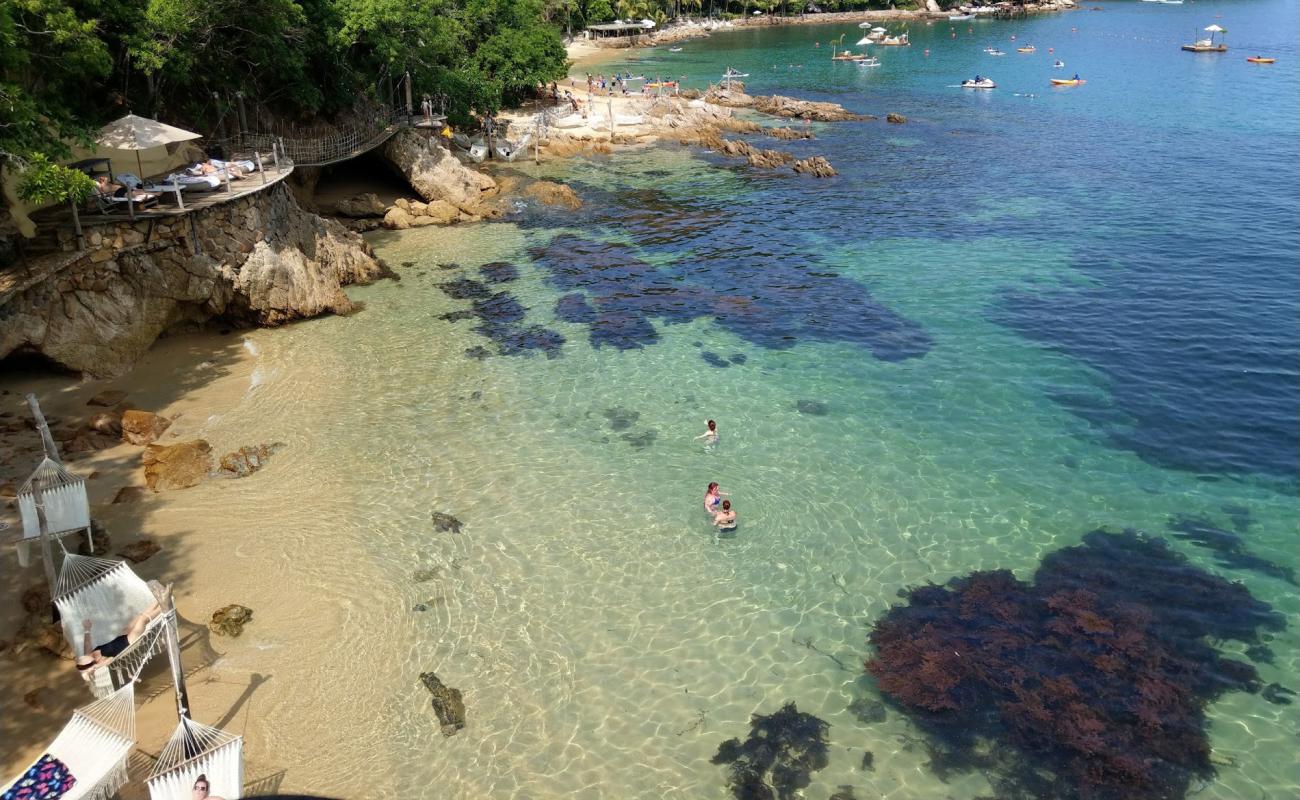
x=198, y=750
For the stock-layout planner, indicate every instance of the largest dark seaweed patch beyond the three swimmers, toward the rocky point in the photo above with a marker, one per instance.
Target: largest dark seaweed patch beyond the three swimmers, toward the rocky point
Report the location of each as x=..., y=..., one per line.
x=777, y=302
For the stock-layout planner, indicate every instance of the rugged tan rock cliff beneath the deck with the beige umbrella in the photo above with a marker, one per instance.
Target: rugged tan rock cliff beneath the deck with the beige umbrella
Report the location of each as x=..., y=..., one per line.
x=258, y=260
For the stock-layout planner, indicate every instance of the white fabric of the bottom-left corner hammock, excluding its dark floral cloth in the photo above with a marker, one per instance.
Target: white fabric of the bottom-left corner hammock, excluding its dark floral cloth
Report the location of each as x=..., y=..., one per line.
x=96, y=745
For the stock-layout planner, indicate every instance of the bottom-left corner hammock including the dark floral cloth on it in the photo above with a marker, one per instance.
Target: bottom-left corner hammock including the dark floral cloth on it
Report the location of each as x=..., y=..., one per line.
x=88, y=759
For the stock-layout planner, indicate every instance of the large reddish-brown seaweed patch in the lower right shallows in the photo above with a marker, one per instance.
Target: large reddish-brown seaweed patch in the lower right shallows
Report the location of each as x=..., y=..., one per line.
x=1090, y=682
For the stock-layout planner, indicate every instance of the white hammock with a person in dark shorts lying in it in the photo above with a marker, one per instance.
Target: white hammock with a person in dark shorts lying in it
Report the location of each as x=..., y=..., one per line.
x=109, y=594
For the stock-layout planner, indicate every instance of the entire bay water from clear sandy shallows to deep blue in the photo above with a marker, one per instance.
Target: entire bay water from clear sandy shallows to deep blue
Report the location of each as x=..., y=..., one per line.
x=1008, y=323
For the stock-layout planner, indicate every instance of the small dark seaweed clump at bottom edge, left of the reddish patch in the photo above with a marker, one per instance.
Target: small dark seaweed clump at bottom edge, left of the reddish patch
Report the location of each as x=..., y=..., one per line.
x=781, y=755
